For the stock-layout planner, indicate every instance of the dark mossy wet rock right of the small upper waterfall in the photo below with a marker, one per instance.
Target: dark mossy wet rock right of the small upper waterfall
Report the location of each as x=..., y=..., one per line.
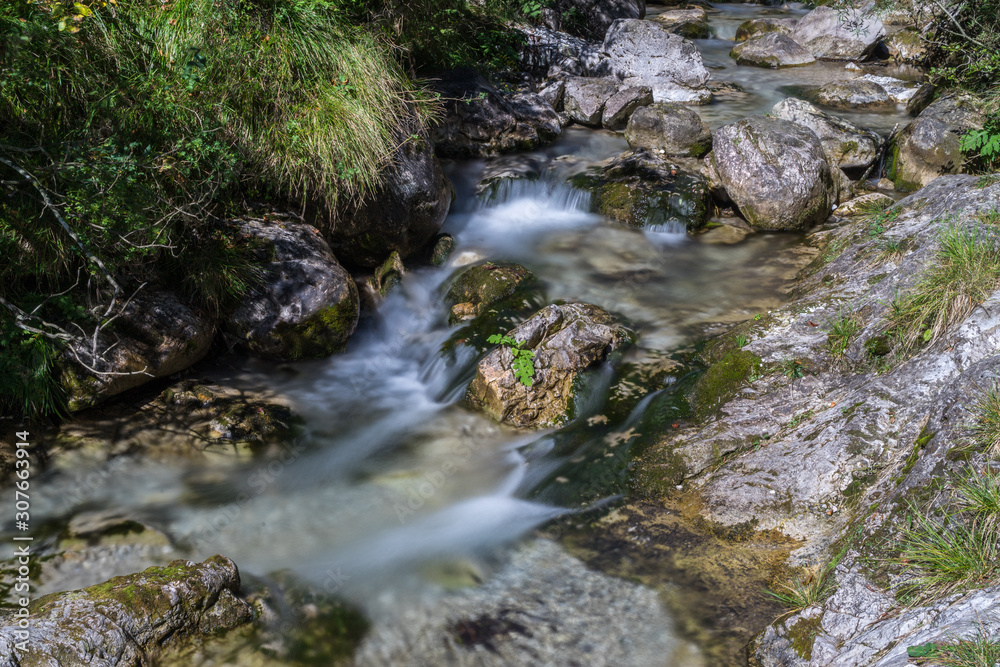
x=641, y=189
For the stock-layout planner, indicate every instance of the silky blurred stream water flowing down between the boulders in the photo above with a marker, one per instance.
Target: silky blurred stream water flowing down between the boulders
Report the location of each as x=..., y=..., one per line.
x=394, y=472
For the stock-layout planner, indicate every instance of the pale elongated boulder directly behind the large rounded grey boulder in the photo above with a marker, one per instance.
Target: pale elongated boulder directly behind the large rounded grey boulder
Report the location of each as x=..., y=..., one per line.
x=846, y=145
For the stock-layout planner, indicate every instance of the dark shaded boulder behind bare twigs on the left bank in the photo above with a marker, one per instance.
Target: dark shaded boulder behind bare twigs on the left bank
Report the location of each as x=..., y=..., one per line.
x=154, y=335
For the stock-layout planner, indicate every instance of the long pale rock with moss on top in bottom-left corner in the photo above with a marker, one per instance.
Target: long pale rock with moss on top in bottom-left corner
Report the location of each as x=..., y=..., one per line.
x=125, y=620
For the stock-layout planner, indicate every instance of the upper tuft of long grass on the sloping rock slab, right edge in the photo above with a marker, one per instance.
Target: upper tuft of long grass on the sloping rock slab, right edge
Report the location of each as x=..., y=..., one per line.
x=965, y=273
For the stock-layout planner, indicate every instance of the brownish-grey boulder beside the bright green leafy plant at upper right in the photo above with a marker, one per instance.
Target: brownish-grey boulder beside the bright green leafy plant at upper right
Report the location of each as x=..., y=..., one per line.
x=930, y=145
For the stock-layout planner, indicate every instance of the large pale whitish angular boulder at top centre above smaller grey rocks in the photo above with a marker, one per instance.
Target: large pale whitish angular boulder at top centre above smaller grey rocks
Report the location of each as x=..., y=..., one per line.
x=644, y=53
